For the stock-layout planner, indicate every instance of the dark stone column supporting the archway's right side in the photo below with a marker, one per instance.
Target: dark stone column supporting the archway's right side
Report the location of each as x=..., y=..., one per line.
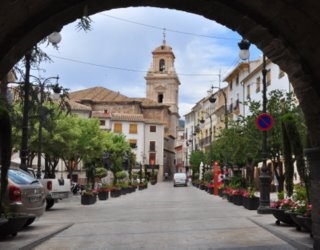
x=313, y=157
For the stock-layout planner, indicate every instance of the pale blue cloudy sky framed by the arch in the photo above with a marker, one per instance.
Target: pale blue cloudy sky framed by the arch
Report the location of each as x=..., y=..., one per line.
x=116, y=52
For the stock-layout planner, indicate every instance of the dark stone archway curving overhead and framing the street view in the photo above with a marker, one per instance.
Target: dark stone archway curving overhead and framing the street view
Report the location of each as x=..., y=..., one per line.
x=286, y=31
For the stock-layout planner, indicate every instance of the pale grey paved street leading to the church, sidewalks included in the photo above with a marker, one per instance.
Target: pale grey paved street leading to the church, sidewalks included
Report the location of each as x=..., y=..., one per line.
x=160, y=217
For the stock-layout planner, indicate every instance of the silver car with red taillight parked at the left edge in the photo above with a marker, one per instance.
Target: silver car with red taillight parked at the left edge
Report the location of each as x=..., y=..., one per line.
x=24, y=195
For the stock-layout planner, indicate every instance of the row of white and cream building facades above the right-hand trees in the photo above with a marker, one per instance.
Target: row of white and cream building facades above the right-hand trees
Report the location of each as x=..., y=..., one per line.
x=206, y=119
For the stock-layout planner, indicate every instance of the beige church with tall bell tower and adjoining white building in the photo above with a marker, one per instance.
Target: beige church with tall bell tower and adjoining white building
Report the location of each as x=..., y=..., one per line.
x=150, y=124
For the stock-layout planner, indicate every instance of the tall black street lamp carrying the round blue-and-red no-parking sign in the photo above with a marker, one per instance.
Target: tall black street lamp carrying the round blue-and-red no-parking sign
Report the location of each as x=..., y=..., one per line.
x=264, y=177
